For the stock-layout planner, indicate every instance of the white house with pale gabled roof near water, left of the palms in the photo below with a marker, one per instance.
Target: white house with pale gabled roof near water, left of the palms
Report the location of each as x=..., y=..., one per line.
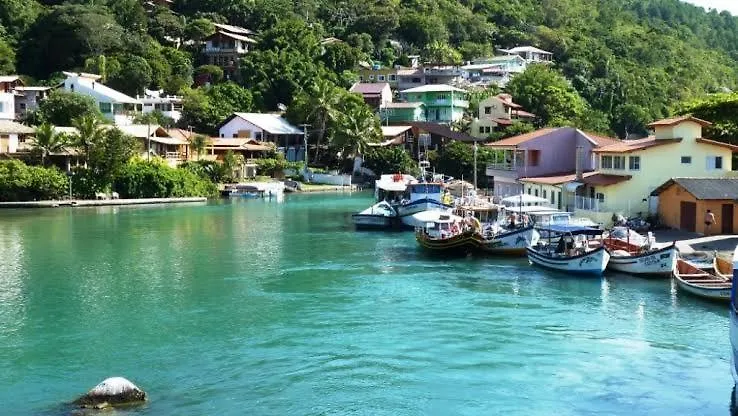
x=266, y=127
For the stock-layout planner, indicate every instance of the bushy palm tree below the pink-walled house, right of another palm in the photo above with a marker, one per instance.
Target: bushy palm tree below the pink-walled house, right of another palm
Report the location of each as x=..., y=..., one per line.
x=354, y=131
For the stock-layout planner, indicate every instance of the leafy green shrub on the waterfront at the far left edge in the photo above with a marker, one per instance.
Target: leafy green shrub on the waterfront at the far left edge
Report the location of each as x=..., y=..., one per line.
x=19, y=182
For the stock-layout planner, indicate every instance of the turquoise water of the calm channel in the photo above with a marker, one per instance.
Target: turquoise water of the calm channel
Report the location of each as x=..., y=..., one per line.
x=269, y=308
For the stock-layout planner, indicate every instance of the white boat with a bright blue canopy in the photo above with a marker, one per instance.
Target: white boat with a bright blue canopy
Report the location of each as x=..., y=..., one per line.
x=574, y=253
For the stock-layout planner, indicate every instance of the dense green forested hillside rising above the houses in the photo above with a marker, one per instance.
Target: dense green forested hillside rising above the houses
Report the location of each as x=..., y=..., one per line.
x=630, y=60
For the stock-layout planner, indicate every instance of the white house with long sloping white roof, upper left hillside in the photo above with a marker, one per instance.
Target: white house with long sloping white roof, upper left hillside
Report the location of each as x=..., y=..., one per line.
x=113, y=104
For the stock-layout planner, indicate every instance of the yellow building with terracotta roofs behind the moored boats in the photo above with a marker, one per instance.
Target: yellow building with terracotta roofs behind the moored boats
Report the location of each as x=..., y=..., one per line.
x=630, y=170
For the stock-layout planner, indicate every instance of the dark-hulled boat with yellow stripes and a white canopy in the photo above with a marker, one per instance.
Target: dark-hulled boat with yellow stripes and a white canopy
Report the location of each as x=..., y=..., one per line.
x=449, y=233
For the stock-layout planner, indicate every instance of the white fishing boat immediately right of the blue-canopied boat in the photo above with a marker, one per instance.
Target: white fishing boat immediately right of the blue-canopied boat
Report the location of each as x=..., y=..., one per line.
x=633, y=253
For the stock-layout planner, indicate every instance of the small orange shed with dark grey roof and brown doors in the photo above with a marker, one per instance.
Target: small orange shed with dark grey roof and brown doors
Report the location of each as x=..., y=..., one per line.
x=683, y=203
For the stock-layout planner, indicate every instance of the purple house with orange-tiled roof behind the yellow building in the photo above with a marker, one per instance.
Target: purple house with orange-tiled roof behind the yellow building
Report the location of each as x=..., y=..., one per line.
x=544, y=152
